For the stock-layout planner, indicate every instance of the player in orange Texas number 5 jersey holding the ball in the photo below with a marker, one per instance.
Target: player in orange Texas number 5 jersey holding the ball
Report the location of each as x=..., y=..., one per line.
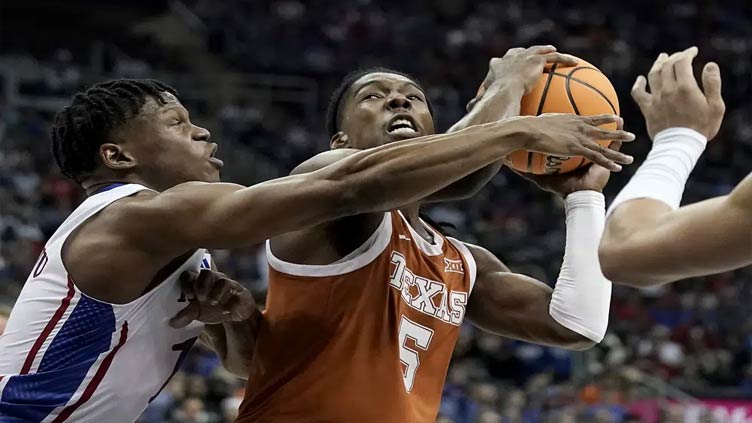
x=363, y=312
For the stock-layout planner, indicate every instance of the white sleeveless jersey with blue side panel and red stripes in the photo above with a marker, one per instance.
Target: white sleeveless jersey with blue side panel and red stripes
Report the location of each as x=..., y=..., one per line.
x=67, y=357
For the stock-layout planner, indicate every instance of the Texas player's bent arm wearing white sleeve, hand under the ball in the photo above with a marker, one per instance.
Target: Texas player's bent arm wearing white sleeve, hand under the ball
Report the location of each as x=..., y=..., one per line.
x=574, y=314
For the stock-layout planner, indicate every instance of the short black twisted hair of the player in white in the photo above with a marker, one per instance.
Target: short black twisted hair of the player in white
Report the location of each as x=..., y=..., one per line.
x=83, y=126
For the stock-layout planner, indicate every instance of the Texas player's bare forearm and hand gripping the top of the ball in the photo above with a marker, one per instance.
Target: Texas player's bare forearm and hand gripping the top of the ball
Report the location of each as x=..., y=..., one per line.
x=509, y=78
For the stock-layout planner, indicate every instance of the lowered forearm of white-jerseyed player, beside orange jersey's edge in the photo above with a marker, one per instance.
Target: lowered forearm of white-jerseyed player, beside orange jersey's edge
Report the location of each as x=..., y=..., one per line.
x=234, y=343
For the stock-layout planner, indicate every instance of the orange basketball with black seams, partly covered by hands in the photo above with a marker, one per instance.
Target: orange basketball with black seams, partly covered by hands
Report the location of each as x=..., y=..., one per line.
x=580, y=89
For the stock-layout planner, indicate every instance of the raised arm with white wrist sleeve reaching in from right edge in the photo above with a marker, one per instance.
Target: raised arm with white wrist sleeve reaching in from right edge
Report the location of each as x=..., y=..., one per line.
x=649, y=239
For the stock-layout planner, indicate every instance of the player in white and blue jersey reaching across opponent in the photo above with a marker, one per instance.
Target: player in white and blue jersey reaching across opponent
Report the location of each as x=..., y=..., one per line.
x=89, y=339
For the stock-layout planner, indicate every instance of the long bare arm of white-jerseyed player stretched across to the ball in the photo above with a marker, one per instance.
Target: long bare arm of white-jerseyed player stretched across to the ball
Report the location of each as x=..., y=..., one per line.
x=220, y=215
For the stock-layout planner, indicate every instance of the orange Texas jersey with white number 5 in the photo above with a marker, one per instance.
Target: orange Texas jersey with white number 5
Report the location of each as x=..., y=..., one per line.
x=366, y=339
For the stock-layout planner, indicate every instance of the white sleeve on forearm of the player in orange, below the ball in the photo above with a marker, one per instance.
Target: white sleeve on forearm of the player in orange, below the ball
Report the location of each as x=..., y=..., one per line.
x=582, y=296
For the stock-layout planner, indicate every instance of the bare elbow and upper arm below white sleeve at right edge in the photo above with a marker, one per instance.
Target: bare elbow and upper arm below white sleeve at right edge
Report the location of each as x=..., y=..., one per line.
x=647, y=243
